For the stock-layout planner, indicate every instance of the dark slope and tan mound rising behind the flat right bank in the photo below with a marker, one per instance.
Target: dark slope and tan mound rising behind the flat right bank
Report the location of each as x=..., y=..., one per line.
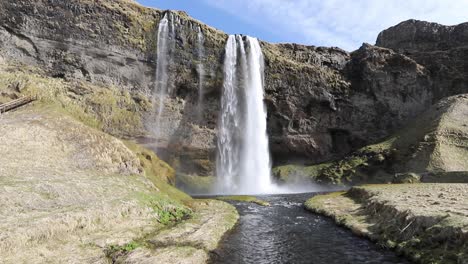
x=433, y=148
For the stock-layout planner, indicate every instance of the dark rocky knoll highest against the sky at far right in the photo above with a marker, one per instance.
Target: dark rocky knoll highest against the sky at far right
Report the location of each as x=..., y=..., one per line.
x=443, y=50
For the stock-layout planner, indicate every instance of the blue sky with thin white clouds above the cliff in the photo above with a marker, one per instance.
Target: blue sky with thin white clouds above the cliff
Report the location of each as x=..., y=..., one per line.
x=339, y=23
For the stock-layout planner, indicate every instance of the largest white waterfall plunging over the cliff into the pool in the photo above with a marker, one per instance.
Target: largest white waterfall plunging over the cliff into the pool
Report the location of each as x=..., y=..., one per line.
x=243, y=161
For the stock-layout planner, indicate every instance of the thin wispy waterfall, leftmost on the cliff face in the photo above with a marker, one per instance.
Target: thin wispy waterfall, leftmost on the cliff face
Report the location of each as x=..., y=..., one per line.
x=165, y=32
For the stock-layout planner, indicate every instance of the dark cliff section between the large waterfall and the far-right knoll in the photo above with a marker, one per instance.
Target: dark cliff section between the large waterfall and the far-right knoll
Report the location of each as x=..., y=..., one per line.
x=322, y=110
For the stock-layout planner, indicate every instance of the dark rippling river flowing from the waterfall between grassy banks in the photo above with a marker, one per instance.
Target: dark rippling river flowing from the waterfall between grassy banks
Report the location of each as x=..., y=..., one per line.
x=286, y=233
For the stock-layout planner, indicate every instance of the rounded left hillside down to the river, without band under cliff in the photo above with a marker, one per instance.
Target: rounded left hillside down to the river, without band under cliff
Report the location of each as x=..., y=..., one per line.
x=71, y=193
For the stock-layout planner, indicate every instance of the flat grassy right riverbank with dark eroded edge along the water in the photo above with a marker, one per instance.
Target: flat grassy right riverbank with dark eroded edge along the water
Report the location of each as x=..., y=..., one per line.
x=428, y=223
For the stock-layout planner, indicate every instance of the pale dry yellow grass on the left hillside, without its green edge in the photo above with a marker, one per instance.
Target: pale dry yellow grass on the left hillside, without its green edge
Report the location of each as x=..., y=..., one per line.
x=67, y=190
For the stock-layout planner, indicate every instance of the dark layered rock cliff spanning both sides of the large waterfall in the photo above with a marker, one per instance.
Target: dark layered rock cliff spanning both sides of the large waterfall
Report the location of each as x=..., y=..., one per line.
x=322, y=102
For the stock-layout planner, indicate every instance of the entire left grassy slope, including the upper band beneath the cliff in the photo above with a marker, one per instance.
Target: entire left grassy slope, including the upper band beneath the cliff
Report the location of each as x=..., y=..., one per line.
x=123, y=212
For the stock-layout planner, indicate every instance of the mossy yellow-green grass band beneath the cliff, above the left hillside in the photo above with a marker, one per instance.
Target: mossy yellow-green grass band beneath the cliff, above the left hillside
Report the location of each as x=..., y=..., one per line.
x=107, y=108
